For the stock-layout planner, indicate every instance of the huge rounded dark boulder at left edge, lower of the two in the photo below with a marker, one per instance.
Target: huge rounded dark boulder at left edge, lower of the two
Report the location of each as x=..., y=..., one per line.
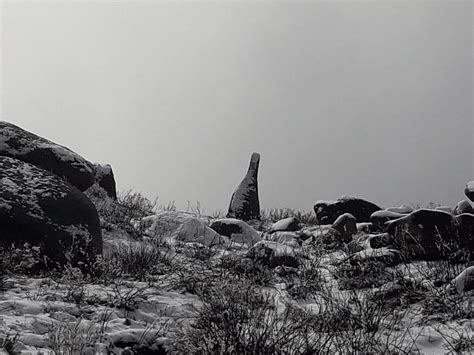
x=39, y=208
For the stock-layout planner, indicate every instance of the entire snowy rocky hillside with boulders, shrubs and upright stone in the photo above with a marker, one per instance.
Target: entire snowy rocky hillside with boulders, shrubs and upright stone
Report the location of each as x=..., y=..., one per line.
x=87, y=270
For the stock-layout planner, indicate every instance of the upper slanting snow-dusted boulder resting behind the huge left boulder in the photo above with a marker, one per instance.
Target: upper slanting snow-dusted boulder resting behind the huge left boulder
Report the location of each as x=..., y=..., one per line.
x=17, y=143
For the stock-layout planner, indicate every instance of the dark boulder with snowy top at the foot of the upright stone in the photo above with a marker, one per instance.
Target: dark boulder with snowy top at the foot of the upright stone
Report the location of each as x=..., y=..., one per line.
x=236, y=230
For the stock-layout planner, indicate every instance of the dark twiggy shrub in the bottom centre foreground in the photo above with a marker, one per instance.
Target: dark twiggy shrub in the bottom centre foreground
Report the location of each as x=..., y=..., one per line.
x=239, y=318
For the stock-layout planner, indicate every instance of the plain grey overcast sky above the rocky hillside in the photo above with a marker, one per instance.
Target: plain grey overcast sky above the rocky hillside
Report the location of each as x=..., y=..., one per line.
x=372, y=99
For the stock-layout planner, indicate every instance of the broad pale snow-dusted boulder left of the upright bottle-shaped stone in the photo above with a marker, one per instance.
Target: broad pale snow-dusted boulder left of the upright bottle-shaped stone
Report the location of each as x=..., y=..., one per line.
x=183, y=227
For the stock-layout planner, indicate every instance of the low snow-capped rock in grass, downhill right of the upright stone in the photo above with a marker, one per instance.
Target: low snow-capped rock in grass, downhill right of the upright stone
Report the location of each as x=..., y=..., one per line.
x=273, y=254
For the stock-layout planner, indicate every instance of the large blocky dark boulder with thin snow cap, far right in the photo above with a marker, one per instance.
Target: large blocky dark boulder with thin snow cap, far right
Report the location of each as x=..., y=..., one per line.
x=426, y=234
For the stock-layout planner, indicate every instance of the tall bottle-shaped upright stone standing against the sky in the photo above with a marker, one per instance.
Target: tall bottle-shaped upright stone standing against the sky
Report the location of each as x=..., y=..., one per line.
x=244, y=204
